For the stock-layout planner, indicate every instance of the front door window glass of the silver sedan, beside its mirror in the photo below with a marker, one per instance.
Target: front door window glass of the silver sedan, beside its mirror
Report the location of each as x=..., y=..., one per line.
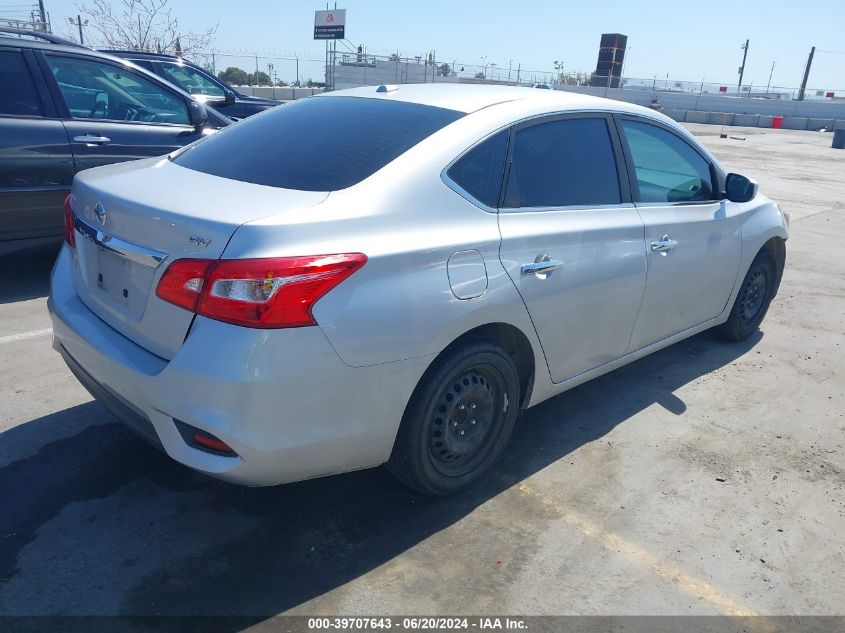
x=667, y=168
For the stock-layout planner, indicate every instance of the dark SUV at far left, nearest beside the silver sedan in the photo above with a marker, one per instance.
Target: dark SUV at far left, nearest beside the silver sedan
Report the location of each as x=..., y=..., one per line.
x=65, y=108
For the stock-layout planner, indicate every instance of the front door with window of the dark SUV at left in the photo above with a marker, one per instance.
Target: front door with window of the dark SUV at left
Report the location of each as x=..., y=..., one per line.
x=115, y=113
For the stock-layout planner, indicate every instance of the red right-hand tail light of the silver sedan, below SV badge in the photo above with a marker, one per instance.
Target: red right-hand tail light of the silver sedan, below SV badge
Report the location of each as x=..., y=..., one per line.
x=264, y=293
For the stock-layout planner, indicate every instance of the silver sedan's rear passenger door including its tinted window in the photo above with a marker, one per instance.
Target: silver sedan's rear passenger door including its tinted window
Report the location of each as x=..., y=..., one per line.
x=572, y=241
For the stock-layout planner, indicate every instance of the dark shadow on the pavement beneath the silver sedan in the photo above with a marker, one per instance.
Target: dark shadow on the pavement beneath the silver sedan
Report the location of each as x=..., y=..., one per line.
x=117, y=527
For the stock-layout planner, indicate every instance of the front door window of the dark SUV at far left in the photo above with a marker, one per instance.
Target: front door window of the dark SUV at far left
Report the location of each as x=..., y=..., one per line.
x=96, y=90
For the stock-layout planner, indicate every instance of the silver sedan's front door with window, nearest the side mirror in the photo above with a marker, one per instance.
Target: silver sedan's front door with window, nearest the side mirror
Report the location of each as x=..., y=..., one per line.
x=692, y=235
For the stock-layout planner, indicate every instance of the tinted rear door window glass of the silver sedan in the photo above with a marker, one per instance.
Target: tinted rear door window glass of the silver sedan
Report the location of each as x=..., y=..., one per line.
x=561, y=163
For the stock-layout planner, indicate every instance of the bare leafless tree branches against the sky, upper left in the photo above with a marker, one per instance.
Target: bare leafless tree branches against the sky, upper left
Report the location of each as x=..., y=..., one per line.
x=143, y=25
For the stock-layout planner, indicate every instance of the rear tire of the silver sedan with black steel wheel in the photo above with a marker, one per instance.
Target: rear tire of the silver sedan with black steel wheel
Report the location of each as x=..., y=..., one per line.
x=458, y=421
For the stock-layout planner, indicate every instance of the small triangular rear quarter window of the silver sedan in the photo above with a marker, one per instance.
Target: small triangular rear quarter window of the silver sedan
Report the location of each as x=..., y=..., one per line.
x=479, y=171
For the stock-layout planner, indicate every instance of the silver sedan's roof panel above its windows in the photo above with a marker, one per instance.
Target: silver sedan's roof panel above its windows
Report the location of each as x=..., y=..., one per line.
x=472, y=97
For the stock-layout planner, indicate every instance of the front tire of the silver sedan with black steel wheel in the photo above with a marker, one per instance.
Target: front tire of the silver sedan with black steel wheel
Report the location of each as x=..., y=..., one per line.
x=752, y=302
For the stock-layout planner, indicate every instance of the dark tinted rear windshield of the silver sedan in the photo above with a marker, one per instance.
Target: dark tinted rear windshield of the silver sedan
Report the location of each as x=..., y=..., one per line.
x=316, y=144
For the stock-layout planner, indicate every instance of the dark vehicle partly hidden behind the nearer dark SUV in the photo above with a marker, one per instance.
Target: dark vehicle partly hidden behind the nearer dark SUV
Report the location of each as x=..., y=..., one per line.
x=198, y=82
